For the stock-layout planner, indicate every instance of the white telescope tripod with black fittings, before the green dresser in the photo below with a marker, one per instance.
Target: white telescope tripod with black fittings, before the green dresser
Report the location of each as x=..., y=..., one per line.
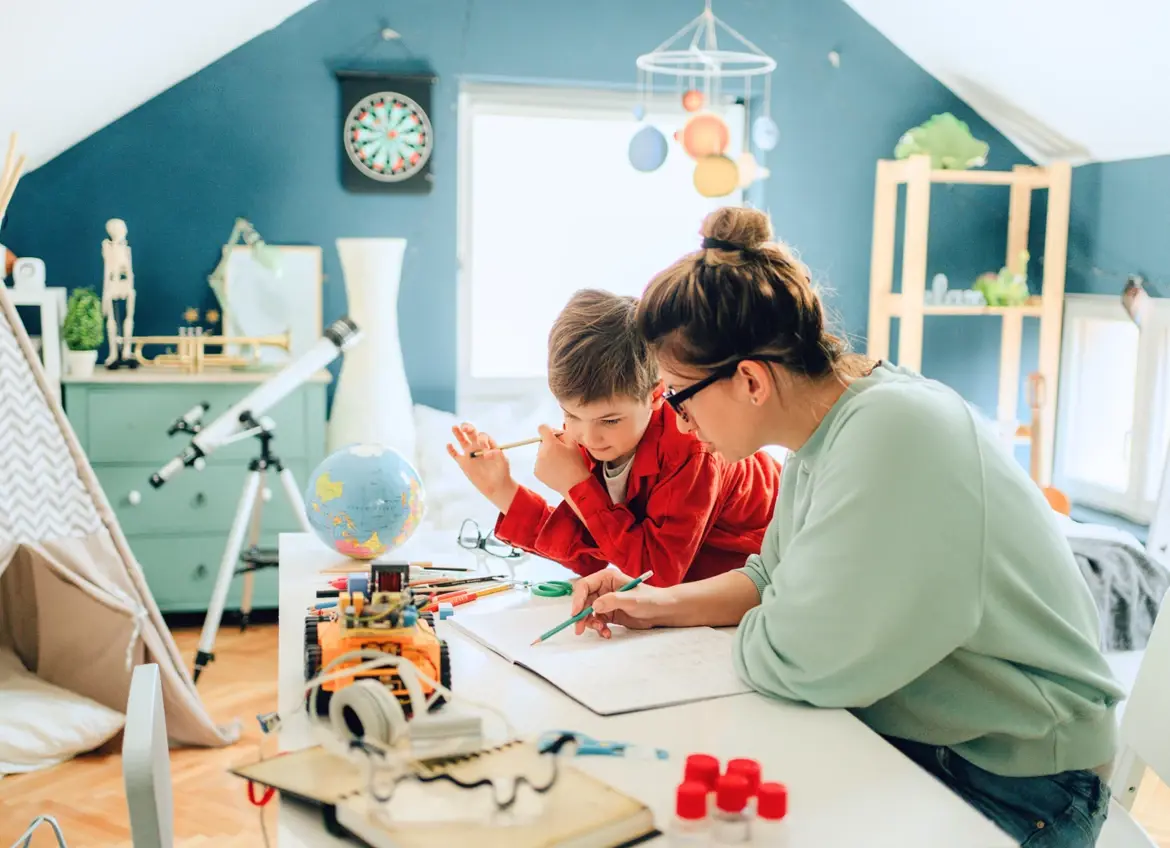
x=247, y=513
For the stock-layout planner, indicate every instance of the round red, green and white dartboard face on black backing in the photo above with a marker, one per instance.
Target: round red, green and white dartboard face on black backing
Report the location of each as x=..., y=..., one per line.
x=388, y=137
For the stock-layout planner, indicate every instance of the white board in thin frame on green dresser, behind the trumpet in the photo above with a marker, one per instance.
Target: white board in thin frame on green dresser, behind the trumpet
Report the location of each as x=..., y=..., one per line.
x=261, y=302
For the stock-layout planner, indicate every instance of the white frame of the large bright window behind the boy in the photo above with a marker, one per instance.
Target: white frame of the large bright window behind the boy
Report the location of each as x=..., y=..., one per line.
x=543, y=101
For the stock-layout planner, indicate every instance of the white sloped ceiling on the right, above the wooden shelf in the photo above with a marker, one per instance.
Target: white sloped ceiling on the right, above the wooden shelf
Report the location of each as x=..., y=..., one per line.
x=1076, y=80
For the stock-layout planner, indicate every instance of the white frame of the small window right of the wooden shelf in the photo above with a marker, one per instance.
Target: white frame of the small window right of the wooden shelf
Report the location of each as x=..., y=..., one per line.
x=1148, y=387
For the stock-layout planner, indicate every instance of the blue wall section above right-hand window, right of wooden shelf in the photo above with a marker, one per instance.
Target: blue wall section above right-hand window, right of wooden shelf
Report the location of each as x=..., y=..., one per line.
x=1120, y=225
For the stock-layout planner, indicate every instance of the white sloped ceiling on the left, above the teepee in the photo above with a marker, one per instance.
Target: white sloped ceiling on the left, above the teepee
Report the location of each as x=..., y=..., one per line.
x=71, y=67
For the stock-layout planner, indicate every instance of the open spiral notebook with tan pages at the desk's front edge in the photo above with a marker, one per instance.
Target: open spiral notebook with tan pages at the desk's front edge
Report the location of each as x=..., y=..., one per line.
x=577, y=811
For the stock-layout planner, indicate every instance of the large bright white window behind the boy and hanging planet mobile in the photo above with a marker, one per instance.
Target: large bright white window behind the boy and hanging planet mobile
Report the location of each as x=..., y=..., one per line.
x=549, y=204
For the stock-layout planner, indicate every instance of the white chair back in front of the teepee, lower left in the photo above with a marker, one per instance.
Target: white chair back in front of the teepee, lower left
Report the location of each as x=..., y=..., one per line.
x=147, y=762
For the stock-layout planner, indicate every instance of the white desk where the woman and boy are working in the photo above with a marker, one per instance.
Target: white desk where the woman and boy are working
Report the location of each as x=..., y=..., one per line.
x=848, y=787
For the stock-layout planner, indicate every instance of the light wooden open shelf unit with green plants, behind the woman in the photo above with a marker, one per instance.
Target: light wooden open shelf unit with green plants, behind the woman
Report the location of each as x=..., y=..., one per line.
x=911, y=307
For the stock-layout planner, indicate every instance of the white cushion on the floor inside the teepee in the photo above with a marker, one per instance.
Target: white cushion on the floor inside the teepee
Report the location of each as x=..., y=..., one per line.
x=43, y=725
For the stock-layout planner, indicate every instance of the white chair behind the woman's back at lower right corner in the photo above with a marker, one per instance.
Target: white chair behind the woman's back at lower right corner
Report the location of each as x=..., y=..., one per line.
x=1145, y=740
